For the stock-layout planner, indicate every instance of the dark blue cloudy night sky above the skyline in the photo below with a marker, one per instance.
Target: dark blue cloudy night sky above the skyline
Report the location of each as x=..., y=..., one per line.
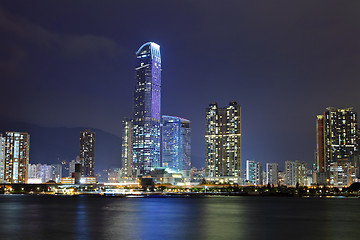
x=69, y=65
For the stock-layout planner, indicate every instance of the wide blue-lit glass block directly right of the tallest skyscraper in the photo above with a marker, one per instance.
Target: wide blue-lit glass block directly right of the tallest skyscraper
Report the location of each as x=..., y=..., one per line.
x=176, y=140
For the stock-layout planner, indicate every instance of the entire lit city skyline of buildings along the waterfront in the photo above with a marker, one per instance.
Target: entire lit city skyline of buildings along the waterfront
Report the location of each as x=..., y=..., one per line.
x=159, y=146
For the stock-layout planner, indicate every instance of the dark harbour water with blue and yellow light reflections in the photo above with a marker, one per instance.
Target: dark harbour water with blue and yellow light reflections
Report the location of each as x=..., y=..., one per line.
x=89, y=217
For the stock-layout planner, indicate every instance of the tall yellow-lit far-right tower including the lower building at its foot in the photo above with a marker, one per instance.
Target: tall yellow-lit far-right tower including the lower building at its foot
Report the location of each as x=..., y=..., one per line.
x=337, y=142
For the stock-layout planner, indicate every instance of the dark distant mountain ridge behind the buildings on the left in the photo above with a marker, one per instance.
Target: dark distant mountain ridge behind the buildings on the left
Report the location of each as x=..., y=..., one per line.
x=53, y=145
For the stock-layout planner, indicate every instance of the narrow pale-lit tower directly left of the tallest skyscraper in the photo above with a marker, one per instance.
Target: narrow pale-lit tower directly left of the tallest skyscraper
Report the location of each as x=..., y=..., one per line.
x=126, y=148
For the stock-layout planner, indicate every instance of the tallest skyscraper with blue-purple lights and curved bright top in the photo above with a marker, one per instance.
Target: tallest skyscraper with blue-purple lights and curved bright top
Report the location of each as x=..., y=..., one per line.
x=147, y=101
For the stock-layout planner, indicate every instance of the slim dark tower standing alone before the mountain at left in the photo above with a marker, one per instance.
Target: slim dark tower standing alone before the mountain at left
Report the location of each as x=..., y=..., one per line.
x=87, y=153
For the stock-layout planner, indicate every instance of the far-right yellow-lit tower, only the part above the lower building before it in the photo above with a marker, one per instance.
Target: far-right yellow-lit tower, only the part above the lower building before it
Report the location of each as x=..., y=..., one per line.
x=337, y=137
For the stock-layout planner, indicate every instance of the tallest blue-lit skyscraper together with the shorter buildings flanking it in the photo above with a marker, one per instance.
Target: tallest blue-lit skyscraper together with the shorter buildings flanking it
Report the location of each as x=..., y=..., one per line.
x=153, y=145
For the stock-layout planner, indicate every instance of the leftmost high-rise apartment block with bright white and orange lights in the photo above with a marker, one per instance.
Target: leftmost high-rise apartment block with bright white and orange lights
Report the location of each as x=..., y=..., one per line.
x=17, y=146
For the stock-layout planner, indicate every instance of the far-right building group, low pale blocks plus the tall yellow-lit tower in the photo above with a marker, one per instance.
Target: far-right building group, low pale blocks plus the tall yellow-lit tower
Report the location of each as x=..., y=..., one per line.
x=337, y=156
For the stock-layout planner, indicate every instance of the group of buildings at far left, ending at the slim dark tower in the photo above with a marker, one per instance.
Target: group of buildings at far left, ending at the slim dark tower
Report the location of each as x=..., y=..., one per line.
x=15, y=166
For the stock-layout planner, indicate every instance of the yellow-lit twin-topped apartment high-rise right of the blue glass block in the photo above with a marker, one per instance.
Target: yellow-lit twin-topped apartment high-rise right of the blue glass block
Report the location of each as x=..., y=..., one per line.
x=223, y=140
